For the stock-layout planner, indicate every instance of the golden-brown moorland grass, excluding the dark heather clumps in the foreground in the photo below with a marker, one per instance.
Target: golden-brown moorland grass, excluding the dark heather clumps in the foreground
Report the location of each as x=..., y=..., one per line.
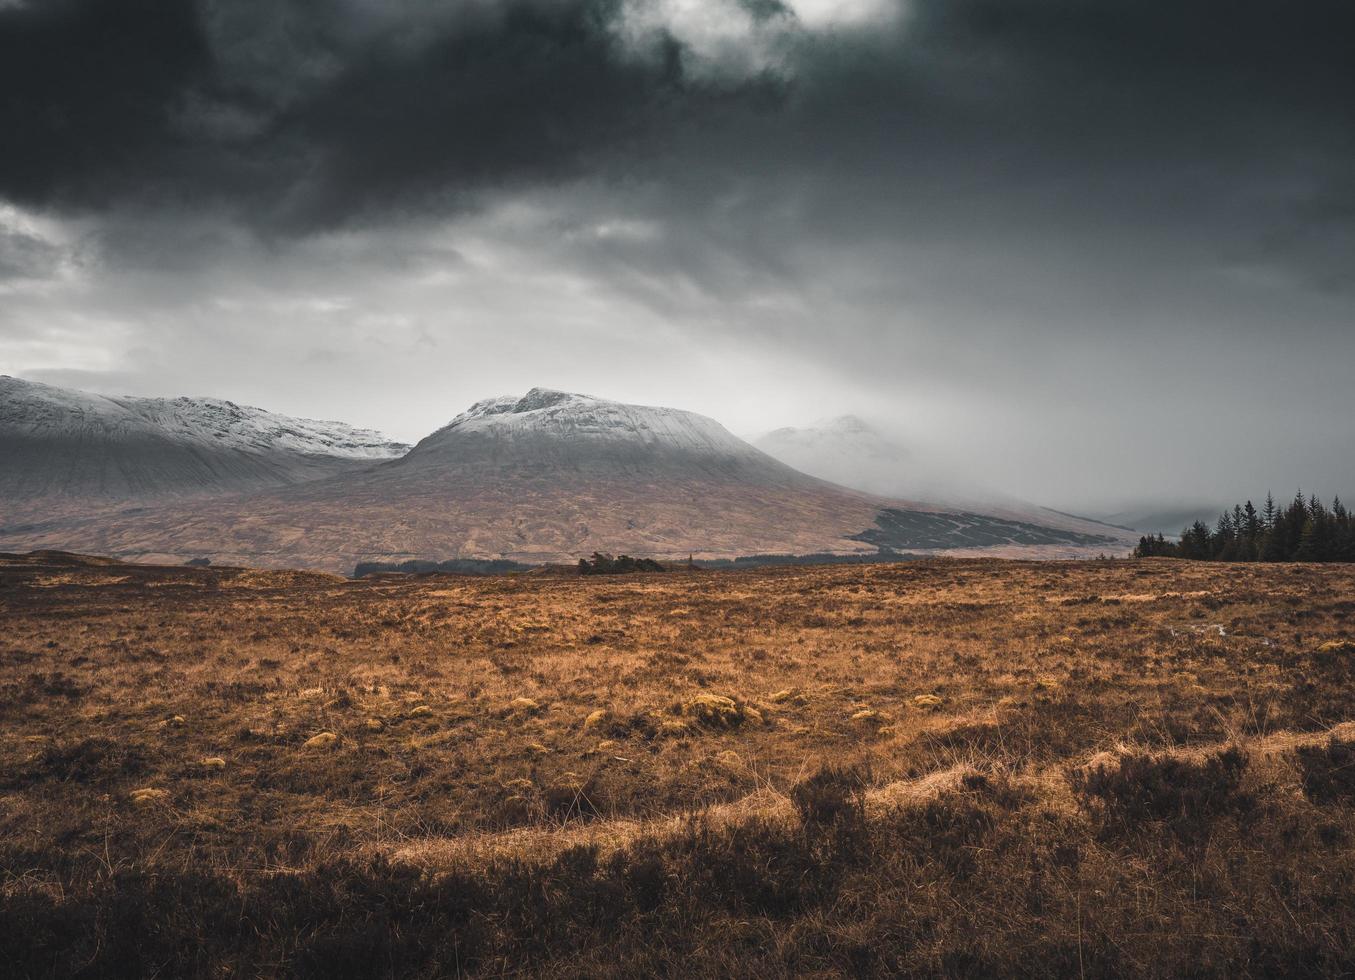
x=264, y=724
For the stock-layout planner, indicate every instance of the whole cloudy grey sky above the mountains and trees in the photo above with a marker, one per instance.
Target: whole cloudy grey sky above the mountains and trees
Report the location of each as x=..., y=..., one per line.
x=1098, y=254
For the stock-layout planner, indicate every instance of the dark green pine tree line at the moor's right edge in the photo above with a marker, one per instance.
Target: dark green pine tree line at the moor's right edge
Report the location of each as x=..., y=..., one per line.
x=1307, y=531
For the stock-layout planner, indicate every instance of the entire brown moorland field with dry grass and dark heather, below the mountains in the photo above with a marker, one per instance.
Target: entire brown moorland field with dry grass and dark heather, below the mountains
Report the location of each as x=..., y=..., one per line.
x=941, y=768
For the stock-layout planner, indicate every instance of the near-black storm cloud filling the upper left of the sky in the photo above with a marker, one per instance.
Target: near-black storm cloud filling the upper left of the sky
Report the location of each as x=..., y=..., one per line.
x=307, y=115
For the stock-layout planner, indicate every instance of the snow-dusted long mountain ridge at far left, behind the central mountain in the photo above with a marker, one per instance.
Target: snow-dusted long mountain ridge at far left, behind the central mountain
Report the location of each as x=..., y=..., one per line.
x=68, y=451
